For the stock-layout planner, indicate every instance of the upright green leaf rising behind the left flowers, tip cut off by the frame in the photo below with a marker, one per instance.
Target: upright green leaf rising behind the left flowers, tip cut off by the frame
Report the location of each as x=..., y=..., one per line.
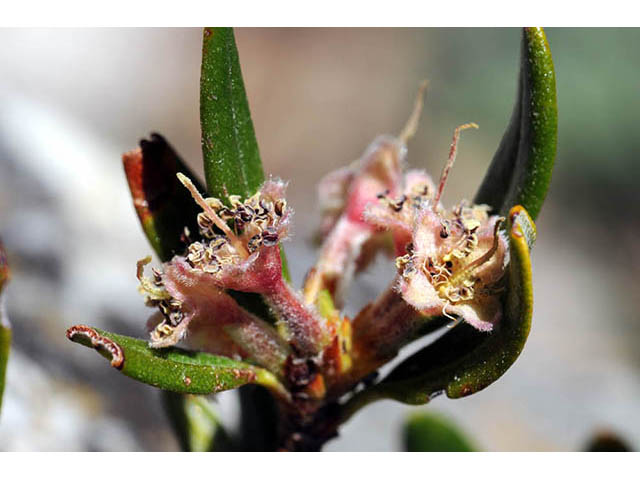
x=231, y=158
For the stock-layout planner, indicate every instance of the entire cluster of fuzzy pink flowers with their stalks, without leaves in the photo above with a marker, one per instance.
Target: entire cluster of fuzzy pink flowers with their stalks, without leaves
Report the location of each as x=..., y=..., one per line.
x=450, y=263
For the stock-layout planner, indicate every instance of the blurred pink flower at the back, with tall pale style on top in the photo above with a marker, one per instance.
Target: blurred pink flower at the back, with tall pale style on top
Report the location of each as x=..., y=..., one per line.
x=351, y=242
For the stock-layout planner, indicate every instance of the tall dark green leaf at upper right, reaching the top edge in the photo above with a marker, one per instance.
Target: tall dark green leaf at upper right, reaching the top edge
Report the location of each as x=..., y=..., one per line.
x=520, y=172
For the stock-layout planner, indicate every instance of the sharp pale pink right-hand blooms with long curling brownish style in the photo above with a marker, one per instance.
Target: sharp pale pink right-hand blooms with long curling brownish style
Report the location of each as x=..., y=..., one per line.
x=453, y=260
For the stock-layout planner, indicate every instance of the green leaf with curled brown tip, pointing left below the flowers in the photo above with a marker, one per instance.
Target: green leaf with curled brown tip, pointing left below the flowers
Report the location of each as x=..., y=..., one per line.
x=172, y=369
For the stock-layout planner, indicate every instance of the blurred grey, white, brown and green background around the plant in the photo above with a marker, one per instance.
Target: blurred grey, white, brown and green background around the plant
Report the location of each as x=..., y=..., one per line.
x=73, y=100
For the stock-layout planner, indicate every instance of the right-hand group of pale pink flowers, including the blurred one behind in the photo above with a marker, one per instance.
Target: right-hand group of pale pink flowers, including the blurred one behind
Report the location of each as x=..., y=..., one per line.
x=450, y=261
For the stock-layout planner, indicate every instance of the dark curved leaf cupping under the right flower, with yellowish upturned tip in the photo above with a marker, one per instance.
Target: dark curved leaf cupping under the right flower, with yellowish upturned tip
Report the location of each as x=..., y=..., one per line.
x=464, y=361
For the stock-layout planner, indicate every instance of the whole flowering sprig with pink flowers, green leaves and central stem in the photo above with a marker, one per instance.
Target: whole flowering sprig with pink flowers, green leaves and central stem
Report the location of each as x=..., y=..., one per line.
x=226, y=315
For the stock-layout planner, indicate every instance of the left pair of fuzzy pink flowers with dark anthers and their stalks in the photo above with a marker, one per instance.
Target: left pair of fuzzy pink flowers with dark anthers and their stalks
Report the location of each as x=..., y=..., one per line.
x=245, y=257
